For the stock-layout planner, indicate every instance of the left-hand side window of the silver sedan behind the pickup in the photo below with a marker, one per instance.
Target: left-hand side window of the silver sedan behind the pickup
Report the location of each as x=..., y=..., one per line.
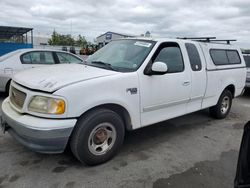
x=38, y=58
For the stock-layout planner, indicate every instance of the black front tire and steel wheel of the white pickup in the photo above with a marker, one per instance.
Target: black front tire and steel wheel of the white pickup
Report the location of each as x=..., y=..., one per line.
x=97, y=136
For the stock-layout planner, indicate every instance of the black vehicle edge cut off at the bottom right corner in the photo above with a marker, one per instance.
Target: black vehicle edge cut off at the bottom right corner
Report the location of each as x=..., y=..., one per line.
x=242, y=178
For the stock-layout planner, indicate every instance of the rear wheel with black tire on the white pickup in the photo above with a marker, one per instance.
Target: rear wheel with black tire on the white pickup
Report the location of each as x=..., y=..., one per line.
x=222, y=108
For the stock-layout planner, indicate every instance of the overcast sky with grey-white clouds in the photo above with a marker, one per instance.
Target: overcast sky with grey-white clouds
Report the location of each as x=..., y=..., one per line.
x=163, y=18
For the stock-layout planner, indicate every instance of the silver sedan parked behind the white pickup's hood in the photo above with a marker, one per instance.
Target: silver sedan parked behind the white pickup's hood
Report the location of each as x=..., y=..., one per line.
x=30, y=58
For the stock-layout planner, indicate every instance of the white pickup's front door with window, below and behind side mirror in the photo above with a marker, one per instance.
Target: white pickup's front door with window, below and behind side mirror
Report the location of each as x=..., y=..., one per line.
x=166, y=96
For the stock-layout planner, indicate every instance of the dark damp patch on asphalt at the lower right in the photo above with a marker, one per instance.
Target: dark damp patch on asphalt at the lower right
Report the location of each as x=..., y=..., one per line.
x=204, y=174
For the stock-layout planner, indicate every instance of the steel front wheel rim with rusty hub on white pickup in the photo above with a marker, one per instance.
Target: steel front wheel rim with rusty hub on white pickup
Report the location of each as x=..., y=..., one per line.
x=102, y=138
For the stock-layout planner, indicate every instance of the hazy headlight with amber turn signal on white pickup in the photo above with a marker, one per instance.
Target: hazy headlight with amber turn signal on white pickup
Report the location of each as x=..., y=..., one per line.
x=47, y=105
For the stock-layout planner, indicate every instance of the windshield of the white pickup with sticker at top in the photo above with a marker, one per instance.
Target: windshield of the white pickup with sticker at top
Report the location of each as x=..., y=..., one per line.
x=121, y=55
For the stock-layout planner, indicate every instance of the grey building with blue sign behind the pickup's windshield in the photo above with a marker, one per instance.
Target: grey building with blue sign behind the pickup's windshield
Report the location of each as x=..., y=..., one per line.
x=109, y=36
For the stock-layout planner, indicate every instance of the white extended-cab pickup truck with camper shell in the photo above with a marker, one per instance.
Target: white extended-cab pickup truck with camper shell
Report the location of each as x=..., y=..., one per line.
x=126, y=85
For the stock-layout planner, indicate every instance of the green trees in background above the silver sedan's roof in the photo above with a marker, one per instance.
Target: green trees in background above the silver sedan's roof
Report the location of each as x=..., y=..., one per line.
x=66, y=40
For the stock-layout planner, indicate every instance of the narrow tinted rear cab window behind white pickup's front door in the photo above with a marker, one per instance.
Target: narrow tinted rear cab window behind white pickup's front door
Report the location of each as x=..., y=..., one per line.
x=194, y=57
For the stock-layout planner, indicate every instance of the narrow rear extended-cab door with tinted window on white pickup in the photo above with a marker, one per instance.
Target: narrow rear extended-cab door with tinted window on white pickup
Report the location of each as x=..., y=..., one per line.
x=198, y=74
